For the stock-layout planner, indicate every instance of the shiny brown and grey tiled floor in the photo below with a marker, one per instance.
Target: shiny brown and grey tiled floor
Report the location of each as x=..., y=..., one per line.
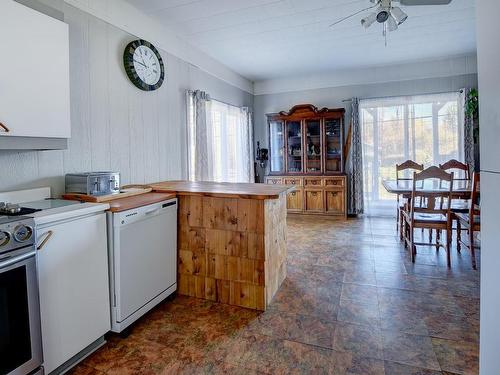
x=352, y=303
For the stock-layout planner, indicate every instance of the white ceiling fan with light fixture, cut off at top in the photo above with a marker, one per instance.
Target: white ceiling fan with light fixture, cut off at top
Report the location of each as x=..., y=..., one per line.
x=387, y=14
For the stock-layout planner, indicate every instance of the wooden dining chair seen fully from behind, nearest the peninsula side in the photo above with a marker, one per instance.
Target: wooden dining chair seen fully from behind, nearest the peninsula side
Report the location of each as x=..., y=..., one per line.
x=429, y=210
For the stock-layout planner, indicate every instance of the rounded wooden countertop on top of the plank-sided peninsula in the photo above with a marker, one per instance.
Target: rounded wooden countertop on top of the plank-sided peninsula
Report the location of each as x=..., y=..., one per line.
x=222, y=189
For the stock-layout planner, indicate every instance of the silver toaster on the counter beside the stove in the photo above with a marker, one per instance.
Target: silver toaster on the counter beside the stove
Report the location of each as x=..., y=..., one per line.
x=93, y=183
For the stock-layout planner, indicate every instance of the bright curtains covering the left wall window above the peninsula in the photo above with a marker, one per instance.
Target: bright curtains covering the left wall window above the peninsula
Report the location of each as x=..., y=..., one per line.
x=220, y=140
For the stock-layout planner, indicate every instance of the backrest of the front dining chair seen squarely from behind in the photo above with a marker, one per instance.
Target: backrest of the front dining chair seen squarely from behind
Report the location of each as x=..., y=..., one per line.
x=432, y=201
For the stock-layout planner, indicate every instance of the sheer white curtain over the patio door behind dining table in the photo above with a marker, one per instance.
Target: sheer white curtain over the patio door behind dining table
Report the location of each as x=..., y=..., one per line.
x=425, y=128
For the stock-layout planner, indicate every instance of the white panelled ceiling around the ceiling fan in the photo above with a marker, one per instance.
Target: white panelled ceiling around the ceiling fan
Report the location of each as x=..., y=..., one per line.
x=266, y=39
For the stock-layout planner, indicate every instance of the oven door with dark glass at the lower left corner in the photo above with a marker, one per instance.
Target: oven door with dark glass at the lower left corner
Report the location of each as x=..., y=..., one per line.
x=20, y=338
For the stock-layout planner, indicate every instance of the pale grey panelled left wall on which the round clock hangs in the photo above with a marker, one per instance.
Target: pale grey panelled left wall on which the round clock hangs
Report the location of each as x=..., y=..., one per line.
x=114, y=125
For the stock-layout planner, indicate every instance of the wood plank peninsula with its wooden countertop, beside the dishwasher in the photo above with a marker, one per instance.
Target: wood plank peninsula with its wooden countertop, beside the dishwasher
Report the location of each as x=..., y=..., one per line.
x=232, y=240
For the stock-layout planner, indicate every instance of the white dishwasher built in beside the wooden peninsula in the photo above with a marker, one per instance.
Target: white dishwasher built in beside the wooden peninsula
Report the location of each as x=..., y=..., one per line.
x=142, y=260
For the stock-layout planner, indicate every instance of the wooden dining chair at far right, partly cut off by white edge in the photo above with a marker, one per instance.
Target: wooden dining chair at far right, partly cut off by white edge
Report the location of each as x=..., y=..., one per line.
x=470, y=221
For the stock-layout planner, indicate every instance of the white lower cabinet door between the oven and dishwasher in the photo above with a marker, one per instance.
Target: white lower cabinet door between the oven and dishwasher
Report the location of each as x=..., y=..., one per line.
x=74, y=288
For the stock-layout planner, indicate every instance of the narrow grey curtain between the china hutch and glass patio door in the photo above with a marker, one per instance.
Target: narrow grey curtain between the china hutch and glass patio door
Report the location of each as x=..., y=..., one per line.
x=355, y=163
